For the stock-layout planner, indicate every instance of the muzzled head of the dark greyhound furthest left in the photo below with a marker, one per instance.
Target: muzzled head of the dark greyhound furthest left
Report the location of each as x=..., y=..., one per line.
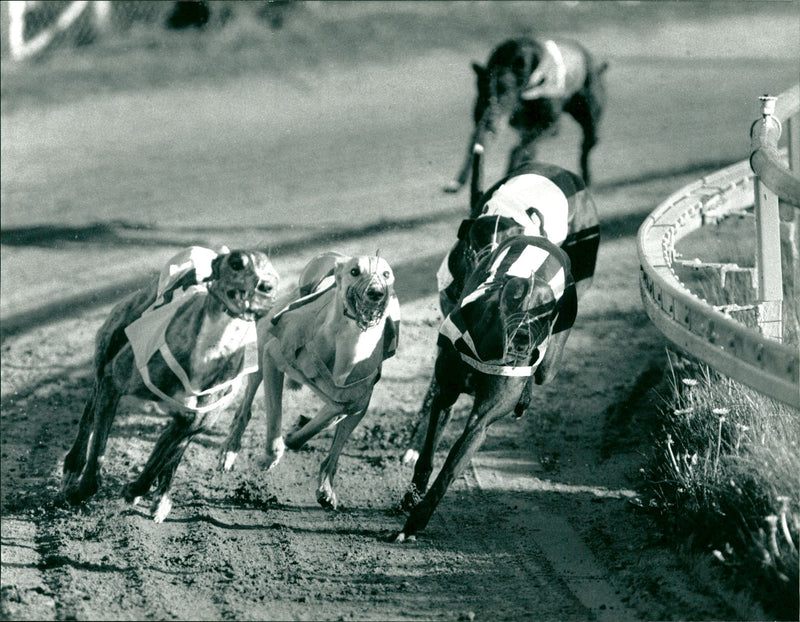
x=245, y=282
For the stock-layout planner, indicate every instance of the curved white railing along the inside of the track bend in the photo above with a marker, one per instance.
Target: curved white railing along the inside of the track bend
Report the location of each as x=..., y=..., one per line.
x=745, y=354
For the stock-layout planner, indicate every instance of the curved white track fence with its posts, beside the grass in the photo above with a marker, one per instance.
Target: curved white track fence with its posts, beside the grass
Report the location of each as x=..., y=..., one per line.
x=745, y=339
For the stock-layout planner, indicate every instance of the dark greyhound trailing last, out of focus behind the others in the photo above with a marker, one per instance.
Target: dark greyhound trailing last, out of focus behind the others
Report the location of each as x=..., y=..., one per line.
x=530, y=82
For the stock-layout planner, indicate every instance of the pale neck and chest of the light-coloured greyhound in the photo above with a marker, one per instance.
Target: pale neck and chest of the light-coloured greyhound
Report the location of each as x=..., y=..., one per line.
x=342, y=343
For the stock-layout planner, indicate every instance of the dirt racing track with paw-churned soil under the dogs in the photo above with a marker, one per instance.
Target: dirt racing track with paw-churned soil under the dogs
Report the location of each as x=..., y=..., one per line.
x=540, y=528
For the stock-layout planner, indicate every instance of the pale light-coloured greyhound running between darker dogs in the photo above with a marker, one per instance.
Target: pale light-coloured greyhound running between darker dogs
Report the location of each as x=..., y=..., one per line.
x=332, y=334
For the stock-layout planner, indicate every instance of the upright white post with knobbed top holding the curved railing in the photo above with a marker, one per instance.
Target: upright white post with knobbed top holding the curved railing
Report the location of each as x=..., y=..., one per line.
x=768, y=242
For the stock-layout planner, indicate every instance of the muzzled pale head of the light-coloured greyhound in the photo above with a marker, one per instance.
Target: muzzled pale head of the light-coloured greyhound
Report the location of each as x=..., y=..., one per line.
x=366, y=284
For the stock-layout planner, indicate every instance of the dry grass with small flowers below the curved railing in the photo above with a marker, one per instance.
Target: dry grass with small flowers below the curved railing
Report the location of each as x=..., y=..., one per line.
x=724, y=476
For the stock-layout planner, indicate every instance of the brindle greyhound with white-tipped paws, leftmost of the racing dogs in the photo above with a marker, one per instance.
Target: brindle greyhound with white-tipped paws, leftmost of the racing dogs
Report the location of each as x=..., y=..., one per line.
x=183, y=340
